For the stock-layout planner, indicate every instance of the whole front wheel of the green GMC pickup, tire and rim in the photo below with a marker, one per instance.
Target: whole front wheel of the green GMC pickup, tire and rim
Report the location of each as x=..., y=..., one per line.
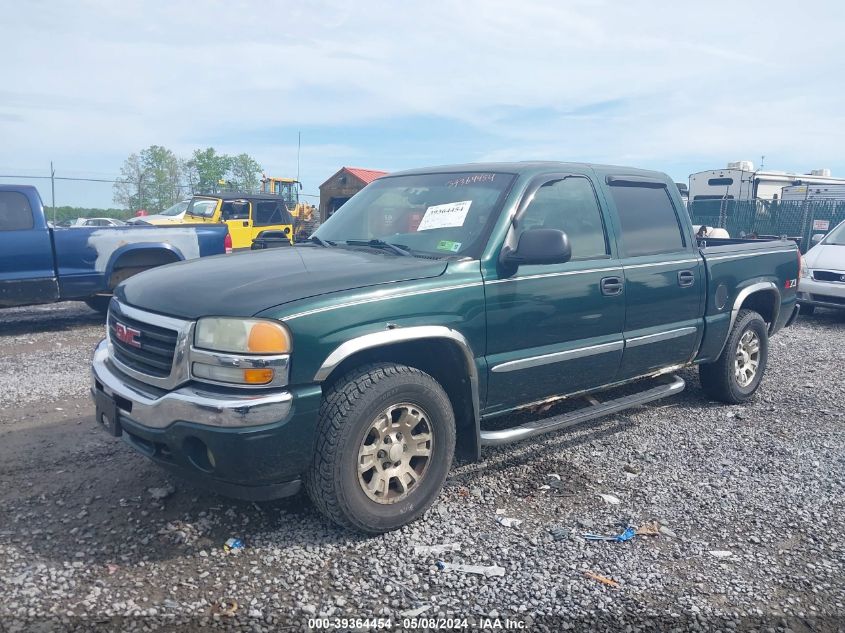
x=385, y=442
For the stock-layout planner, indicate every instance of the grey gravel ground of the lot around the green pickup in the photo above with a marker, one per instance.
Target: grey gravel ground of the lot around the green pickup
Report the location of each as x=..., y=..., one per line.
x=85, y=544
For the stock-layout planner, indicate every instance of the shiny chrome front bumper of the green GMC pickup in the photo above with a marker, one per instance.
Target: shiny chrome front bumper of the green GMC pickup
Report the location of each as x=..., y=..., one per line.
x=156, y=408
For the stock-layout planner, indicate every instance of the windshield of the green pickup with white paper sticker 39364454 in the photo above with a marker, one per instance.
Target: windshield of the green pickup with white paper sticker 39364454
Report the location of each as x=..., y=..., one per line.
x=434, y=214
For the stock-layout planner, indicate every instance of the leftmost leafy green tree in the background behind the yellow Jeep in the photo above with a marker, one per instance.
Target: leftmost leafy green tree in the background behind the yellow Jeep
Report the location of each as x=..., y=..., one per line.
x=150, y=179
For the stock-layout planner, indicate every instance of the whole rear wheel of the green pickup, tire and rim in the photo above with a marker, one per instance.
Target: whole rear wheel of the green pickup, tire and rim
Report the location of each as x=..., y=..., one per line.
x=735, y=376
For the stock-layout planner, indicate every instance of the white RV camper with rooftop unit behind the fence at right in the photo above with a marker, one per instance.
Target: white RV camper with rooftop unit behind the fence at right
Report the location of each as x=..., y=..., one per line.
x=740, y=181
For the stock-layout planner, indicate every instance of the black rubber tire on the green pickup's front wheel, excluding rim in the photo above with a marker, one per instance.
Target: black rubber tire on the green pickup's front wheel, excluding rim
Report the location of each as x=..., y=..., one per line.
x=348, y=410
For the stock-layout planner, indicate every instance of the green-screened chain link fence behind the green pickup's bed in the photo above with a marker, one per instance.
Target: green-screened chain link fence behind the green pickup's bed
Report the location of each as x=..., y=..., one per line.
x=798, y=220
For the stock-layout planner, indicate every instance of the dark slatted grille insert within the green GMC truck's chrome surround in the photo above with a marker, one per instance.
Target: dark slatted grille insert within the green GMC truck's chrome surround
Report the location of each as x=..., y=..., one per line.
x=155, y=350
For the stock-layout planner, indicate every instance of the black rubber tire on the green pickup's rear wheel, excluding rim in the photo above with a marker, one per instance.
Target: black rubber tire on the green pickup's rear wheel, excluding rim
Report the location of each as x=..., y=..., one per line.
x=719, y=378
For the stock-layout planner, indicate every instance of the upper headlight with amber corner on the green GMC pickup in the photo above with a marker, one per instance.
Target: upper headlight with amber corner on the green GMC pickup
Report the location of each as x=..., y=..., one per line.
x=242, y=336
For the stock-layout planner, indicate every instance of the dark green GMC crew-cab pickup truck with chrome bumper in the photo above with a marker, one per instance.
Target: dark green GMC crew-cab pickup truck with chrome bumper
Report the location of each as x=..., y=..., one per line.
x=429, y=309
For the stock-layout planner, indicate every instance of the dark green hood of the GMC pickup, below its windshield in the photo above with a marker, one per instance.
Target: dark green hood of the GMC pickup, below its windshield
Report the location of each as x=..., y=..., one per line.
x=247, y=283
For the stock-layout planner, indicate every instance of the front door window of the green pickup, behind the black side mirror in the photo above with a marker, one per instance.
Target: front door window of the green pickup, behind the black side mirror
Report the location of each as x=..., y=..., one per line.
x=569, y=205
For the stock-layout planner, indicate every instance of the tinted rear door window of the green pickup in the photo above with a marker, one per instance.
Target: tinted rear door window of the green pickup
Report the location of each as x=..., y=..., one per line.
x=649, y=221
